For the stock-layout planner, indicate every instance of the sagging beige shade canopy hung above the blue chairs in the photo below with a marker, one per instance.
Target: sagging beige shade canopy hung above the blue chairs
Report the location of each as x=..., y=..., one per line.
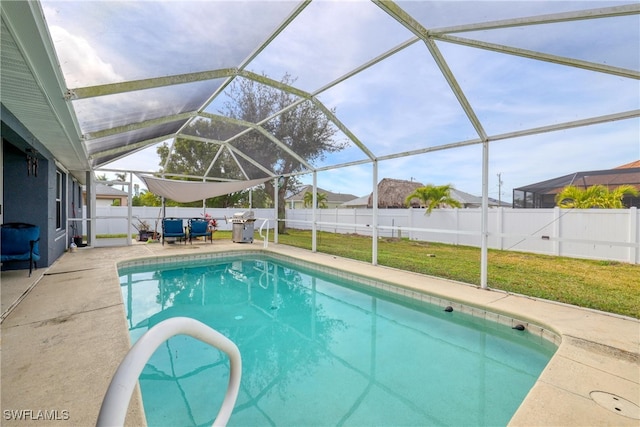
x=190, y=191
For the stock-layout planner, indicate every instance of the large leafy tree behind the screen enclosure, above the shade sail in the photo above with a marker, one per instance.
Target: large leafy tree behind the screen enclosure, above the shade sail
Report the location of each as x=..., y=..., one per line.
x=304, y=129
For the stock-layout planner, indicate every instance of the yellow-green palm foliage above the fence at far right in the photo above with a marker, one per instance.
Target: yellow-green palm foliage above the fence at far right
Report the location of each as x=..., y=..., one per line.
x=596, y=196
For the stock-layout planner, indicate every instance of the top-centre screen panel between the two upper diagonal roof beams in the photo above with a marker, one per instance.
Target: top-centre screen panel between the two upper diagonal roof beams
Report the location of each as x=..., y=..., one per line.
x=328, y=40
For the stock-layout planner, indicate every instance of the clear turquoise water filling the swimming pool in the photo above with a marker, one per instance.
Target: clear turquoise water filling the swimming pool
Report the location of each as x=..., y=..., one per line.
x=322, y=351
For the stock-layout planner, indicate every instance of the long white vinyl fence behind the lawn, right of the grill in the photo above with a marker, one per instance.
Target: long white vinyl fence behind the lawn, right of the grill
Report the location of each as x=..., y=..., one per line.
x=606, y=234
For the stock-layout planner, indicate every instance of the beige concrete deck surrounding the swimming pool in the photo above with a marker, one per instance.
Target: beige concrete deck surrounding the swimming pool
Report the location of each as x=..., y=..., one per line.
x=62, y=342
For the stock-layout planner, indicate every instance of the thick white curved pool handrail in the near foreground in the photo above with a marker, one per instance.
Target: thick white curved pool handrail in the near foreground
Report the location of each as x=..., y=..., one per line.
x=116, y=401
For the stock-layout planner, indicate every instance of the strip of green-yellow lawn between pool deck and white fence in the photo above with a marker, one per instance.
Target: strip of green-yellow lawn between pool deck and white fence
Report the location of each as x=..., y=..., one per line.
x=603, y=285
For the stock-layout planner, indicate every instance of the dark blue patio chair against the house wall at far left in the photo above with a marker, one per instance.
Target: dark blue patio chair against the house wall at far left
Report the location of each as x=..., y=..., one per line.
x=20, y=243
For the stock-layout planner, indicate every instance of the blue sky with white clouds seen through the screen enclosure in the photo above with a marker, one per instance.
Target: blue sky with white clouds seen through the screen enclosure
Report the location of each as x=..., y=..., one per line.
x=400, y=104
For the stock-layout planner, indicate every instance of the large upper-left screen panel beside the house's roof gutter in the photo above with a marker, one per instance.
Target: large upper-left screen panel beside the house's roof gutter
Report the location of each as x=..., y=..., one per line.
x=134, y=40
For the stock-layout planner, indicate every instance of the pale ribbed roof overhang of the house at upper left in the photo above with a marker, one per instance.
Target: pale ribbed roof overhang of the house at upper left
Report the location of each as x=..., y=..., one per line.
x=33, y=86
